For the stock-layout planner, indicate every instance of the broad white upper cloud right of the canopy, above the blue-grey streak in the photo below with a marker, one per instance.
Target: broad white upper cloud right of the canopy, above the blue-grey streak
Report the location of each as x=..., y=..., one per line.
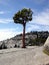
x=41, y=18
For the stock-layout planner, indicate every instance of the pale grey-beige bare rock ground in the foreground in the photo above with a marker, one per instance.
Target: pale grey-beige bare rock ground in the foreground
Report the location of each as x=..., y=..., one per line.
x=29, y=56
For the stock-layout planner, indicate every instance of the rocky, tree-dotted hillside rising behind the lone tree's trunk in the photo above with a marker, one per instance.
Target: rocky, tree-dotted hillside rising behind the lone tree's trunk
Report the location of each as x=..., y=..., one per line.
x=32, y=38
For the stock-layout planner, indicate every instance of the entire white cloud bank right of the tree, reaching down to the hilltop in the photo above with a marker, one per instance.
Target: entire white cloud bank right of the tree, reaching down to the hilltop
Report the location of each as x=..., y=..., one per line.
x=40, y=21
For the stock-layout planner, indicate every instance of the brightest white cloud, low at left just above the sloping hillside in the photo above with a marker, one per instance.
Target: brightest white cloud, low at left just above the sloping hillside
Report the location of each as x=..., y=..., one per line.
x=8, y=33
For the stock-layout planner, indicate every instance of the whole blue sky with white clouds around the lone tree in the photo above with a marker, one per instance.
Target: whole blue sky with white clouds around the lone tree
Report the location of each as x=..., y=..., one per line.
x=8, y=8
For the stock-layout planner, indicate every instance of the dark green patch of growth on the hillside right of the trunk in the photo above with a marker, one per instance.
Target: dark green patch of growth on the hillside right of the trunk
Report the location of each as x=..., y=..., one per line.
x=36, y=41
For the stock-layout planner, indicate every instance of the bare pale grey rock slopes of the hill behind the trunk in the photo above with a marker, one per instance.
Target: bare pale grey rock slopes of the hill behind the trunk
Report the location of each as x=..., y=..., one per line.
x=17, y=40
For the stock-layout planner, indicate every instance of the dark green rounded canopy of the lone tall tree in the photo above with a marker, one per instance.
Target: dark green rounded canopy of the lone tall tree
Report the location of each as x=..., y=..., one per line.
x=23, y=16
